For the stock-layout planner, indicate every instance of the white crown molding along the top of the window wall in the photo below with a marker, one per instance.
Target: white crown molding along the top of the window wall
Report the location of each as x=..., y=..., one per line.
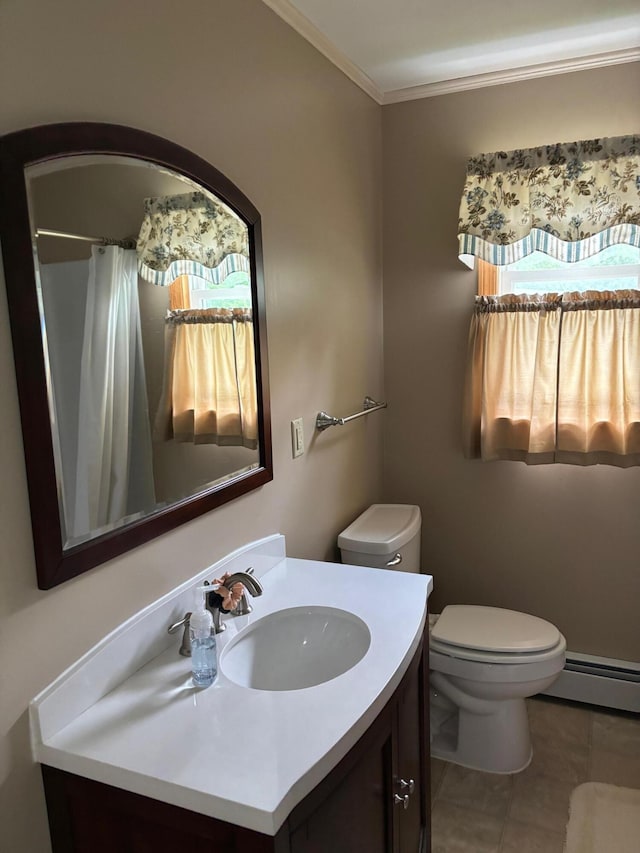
x=512, y=75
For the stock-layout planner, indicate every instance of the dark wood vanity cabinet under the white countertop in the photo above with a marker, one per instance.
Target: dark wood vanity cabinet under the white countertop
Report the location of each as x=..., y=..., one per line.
x=359, y=806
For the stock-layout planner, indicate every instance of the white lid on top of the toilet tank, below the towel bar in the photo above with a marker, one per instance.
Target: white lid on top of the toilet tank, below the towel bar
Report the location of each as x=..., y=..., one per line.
x=381, y=529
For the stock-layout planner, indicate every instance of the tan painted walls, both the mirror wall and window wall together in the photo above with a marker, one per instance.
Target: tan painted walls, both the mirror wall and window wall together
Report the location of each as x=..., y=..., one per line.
x=234, y=84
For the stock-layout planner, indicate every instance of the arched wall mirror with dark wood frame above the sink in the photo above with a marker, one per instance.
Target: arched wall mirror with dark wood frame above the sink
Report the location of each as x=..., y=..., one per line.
x=136, y=300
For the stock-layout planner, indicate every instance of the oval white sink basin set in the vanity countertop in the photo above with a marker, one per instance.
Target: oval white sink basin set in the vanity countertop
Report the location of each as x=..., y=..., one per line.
x=296, y=648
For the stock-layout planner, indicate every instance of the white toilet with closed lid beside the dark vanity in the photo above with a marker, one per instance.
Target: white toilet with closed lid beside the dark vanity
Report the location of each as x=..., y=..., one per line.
x=483, y=661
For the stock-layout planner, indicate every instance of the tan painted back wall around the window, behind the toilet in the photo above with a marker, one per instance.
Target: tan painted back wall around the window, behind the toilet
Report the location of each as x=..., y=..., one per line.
x=559, y=541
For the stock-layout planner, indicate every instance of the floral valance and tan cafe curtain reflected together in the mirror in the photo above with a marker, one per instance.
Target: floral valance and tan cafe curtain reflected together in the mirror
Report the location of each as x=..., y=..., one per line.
x=191, y=241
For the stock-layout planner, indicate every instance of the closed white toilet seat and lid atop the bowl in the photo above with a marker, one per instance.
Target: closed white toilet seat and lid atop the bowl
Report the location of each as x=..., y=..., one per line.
x=494, y=635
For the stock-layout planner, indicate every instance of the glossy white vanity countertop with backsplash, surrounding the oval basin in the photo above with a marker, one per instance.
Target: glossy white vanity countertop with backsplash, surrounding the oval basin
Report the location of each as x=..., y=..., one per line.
x=241, y=755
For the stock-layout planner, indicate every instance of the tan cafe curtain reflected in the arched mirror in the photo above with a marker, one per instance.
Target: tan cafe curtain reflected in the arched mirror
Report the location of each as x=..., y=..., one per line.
x=209, y=388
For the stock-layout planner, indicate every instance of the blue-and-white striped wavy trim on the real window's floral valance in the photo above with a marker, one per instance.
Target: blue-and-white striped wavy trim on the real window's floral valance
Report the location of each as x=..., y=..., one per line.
x=471, y=246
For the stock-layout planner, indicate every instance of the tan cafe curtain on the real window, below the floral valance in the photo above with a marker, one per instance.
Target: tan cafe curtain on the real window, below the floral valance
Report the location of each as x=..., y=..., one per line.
x=555, y=378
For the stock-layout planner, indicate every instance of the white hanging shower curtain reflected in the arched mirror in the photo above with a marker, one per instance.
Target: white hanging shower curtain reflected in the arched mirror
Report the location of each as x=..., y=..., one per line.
x=114, y=476
